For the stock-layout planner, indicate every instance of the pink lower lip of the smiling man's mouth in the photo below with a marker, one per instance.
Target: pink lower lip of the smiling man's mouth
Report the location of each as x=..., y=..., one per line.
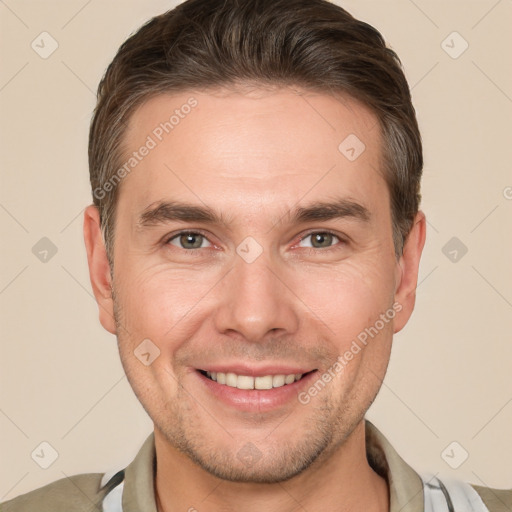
x=256, y=400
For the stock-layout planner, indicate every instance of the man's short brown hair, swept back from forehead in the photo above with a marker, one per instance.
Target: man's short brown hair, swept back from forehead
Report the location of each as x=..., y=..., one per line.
x=312, y=44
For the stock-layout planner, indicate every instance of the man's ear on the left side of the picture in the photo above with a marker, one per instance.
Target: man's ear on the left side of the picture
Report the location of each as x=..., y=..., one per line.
x=99, y=268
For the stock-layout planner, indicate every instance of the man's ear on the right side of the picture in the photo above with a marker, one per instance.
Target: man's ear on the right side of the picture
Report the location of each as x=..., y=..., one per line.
x=407, y=271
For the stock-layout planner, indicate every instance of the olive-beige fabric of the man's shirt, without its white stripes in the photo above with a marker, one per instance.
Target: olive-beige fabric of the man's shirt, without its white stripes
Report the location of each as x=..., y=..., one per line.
x=86, y=492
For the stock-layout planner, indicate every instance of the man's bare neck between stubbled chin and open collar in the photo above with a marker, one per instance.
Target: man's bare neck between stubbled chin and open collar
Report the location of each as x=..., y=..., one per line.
x=339, y=481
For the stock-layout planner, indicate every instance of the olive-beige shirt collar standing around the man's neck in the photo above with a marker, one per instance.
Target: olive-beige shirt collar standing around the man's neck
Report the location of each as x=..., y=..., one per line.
x=405, y=485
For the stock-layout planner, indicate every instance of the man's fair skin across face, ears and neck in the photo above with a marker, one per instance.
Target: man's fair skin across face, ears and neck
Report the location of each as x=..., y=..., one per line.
x=254, y=157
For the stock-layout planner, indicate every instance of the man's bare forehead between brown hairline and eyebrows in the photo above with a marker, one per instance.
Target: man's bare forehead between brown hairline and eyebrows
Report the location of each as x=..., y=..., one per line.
x=251, y=150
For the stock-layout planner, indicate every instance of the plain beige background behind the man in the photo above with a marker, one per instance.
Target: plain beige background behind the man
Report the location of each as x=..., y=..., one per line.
x=450, y=373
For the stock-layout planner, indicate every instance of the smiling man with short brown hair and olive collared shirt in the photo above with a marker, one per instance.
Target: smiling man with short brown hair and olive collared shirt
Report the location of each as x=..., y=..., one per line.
x=254, y=245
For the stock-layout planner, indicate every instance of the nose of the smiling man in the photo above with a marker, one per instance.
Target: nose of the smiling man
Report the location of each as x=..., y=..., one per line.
x=255, y=302
